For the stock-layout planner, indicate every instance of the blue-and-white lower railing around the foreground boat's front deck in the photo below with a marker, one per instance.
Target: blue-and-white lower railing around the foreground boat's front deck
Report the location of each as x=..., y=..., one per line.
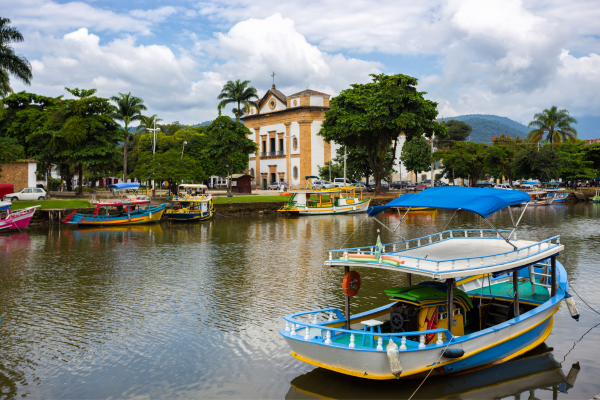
x=315, y=328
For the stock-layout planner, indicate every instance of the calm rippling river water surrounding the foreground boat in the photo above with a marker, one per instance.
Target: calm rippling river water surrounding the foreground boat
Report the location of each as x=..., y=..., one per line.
x=193, y=311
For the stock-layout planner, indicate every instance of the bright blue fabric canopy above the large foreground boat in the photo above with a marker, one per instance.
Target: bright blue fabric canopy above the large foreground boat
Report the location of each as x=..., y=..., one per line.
x=484, y=202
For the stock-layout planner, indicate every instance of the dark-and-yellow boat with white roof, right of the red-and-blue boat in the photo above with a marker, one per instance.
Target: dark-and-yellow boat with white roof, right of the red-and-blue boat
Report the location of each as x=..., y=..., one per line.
x=192, y=203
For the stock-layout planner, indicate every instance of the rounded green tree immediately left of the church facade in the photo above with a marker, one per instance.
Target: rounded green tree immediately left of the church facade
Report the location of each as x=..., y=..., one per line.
x=227, y=144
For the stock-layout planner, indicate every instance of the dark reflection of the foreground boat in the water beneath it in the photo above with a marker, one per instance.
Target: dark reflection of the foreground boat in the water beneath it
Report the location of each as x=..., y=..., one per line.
x=534, y=371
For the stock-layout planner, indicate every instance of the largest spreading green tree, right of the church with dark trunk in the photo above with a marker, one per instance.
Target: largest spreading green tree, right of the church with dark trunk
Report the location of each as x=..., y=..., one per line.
x=371, y=117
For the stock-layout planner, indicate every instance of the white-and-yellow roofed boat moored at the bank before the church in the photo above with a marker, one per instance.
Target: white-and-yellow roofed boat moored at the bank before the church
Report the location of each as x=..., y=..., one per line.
x=342, y=200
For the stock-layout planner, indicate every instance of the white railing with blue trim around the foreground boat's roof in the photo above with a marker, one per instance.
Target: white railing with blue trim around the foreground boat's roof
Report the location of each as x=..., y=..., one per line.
x=450, y=264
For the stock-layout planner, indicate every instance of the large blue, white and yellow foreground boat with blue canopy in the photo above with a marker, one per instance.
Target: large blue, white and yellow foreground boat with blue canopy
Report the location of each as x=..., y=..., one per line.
x=491, y=296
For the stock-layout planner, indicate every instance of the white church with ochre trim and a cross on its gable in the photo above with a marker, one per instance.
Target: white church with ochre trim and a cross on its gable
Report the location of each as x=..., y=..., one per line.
x=285, y=129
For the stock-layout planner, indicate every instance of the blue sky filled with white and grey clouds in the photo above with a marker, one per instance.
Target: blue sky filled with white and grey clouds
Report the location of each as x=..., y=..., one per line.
x=505, y=57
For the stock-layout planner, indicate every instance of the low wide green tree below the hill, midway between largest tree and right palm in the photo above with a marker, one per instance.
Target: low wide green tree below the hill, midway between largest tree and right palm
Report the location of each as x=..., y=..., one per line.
x=464, y=160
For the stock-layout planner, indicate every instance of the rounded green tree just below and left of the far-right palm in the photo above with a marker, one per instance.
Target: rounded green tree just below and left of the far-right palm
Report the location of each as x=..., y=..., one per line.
x=544, y=164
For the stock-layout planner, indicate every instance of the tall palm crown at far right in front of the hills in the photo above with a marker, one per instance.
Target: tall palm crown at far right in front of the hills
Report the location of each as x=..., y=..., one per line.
x=555, y=124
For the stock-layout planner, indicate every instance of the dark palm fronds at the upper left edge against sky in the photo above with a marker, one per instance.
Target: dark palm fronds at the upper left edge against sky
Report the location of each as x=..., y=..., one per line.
x=9, y=61
